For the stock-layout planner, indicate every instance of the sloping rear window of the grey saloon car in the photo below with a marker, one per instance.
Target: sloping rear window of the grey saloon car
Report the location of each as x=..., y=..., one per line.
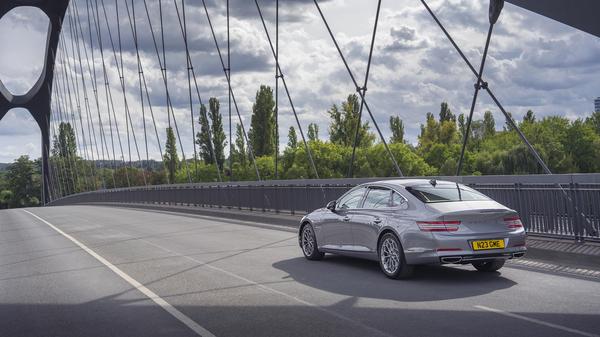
x=445, y=193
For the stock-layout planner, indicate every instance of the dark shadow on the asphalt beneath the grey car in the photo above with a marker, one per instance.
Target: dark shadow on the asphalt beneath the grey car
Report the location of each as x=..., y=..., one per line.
x=363, y=278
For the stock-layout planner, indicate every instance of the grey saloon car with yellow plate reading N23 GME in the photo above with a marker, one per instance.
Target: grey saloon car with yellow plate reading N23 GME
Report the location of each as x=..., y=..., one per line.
x=403, y=223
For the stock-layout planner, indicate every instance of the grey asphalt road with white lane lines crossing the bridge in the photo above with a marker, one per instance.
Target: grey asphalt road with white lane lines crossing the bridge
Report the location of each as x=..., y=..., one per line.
x=99, y=271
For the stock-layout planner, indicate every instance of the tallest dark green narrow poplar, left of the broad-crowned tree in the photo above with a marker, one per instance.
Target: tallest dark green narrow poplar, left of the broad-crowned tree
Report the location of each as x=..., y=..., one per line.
x=262, y=127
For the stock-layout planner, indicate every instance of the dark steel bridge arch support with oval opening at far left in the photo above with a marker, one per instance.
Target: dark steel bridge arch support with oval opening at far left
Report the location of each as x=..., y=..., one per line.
x=37, y=100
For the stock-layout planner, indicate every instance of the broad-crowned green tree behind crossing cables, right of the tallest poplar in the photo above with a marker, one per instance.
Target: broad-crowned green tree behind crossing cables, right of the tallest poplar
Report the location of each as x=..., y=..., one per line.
x=342, y=128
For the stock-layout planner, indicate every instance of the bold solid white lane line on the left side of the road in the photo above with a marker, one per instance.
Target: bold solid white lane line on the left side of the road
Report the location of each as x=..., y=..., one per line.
x=199, y=330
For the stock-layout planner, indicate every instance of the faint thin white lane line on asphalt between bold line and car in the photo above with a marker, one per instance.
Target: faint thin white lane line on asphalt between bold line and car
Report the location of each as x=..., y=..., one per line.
x=373, y=331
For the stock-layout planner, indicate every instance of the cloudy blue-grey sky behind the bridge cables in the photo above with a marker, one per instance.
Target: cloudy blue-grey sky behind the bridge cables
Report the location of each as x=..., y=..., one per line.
x=534, y=63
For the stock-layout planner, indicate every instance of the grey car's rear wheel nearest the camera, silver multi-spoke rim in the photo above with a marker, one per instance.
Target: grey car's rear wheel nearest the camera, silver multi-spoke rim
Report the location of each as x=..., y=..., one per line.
x=391, y=258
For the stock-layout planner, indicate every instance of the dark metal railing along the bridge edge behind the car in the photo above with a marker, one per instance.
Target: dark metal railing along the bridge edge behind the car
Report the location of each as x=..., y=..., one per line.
x=556, y=205
